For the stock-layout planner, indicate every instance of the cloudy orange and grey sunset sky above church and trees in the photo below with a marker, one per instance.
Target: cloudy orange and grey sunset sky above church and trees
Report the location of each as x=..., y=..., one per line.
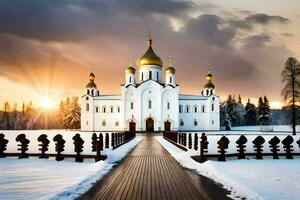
x=48, y=47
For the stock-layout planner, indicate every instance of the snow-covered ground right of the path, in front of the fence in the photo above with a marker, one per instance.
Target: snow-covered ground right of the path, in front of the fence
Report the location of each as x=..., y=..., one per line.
x=253, y=179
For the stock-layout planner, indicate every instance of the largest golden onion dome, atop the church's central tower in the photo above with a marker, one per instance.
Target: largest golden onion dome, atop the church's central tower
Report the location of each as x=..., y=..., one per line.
x=150, y=57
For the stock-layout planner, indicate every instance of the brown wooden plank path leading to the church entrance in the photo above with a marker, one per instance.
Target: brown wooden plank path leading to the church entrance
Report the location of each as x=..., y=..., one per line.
x=149, y=172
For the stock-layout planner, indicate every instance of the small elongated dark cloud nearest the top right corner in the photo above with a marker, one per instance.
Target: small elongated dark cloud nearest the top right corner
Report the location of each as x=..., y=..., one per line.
x=262, y=18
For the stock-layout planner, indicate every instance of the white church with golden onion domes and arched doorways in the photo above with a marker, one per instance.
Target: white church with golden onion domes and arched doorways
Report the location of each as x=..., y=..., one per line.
x=149, y=103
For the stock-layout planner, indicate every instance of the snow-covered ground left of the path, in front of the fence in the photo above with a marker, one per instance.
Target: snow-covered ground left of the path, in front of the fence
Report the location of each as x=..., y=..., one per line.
x=48, y=179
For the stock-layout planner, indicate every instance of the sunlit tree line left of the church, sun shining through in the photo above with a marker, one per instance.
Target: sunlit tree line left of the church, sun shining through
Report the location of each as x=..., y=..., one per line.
x=29, y=117
